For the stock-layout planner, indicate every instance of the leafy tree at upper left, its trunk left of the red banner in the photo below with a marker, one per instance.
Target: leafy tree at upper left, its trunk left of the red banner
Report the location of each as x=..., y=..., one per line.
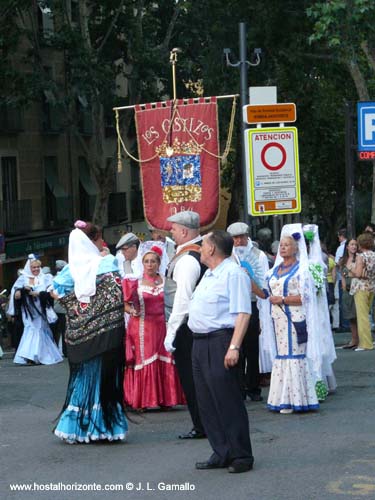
x=101, y=41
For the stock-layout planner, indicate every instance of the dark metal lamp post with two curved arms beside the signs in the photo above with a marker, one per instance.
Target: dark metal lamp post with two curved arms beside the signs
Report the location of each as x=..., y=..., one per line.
x=243, y=64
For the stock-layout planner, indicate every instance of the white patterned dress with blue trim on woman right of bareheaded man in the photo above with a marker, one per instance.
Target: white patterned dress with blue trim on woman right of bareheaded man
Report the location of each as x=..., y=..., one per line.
x=292, y=385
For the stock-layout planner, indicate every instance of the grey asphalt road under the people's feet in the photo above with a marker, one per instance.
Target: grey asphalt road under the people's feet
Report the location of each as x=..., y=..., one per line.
x=329, y=454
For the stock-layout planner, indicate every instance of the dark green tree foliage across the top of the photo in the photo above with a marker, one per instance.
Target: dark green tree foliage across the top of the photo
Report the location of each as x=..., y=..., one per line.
x=304, y=45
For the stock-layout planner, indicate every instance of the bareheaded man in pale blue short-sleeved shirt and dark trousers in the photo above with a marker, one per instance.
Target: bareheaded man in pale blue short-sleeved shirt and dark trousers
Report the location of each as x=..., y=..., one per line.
x=219, y=314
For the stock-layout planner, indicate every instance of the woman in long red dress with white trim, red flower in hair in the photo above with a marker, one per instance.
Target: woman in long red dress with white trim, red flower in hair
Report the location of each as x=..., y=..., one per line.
x=150, y=379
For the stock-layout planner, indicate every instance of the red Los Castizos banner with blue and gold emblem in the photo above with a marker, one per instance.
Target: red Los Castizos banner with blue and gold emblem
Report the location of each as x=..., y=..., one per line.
x=178, y=147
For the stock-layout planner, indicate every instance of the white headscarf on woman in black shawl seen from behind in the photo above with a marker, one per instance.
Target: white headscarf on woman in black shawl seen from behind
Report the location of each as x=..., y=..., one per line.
x=84, y=259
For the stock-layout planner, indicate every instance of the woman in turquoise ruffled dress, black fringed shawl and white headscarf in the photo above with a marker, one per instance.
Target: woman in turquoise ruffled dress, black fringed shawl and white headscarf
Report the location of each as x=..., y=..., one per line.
x=89, y=287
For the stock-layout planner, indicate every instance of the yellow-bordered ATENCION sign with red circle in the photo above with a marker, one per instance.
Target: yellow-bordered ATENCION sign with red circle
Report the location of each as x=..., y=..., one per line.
x=272, y=168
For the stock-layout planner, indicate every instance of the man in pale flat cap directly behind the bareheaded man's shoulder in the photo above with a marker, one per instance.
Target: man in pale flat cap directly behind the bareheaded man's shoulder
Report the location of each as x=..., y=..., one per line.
x=244, y=247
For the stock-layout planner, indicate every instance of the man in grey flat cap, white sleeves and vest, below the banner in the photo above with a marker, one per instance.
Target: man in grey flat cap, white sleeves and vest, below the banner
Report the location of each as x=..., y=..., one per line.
x=183, y=273
